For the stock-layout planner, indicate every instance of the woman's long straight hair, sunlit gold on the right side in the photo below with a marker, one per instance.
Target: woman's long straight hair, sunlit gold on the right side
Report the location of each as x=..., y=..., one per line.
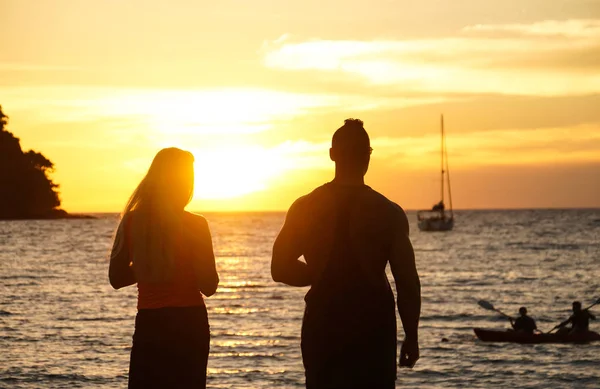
x=153, y=215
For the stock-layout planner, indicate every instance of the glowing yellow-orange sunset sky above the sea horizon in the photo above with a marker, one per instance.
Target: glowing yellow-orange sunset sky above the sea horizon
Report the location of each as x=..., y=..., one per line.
x=256, y=88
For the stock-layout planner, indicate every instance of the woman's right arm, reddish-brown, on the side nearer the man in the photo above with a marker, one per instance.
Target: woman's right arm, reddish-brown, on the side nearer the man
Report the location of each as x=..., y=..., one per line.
x=204, y=256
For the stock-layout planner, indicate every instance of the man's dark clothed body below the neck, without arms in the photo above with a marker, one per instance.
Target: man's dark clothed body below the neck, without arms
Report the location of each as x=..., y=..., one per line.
x=349, y=327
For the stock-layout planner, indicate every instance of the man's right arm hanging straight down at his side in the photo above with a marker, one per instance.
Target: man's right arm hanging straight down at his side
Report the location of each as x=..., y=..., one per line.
x=408, y=287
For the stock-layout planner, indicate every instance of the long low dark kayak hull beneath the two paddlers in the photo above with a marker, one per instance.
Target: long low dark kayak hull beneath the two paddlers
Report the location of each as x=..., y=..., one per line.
x=519, y=337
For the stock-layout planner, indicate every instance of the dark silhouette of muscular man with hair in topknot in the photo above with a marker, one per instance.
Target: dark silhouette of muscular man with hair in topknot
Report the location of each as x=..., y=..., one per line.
x=347, y=233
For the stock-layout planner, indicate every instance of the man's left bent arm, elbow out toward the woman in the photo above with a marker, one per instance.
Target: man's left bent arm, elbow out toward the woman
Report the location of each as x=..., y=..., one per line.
x=285, y=264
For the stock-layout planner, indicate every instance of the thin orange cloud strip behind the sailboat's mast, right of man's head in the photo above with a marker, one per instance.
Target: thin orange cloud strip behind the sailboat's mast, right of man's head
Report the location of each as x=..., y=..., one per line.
x=503, y=147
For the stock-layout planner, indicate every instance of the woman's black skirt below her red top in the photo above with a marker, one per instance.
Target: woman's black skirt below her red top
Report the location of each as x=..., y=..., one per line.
x=170, y=348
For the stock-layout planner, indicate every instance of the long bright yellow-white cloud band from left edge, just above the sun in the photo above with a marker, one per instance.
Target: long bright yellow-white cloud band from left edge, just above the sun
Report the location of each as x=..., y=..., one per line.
x=177, y=114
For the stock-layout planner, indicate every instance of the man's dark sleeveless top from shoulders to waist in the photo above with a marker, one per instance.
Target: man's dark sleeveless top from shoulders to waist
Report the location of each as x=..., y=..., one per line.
x=347, y=236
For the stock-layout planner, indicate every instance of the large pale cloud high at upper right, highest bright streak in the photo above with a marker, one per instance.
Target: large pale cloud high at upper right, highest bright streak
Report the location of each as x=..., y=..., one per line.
x=465, y=63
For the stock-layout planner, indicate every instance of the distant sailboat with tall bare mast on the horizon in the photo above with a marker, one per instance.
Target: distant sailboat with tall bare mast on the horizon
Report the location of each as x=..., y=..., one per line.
x=438, y=218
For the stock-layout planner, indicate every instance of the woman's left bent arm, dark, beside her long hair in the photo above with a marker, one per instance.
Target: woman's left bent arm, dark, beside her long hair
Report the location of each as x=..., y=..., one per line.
x=120, y=272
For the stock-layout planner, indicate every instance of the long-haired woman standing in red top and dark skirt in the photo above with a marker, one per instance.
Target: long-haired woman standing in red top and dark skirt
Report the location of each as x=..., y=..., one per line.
x=168, y=252
